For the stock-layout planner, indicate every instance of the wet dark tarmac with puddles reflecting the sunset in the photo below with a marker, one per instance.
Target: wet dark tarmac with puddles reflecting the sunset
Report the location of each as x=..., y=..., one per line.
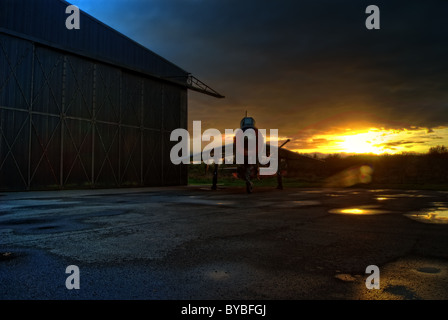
x=189, y=243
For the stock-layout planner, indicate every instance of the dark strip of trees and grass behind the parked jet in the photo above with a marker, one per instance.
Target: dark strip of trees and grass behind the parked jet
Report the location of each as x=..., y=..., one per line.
x=392, y=178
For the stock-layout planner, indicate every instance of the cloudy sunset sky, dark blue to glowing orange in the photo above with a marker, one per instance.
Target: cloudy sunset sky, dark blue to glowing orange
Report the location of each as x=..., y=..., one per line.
x=310, y=69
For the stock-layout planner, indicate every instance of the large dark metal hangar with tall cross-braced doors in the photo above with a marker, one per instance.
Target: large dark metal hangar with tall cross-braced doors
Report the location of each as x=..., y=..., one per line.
x=83, y=108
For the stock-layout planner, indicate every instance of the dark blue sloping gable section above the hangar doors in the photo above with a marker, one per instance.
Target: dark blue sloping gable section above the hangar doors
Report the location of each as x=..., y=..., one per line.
x=36, y=21
